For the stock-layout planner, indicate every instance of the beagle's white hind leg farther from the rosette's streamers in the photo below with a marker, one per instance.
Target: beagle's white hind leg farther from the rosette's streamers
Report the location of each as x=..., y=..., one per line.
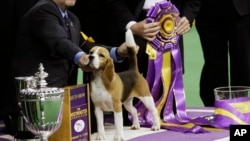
x=128, y=104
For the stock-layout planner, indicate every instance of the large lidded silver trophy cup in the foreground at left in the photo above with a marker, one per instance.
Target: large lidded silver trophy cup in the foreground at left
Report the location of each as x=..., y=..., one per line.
x=42, y=106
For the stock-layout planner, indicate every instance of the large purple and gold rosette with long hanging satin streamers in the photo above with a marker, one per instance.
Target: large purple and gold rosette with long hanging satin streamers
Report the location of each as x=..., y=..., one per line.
x=165, y=76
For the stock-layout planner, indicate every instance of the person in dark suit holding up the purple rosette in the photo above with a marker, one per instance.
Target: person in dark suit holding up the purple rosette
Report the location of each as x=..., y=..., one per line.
x=117, y=14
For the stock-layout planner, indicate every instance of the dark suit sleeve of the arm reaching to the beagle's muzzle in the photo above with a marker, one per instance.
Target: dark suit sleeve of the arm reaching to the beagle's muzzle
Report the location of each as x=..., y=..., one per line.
x=46, y=24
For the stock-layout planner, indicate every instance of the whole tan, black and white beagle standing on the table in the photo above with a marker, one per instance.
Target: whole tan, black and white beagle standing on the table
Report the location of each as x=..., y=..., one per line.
x=109, y=90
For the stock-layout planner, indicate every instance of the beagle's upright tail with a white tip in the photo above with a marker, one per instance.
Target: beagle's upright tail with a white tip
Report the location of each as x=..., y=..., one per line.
x=130, y=43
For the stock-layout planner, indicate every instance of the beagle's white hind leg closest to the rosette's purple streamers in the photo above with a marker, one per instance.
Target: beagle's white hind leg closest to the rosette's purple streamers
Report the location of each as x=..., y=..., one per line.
x=148, y=101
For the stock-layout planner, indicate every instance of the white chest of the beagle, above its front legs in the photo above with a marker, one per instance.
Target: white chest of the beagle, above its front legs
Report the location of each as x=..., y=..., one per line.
x=100, y=95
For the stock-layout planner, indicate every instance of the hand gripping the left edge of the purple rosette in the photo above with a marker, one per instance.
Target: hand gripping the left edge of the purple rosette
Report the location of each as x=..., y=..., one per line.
x=146, y=30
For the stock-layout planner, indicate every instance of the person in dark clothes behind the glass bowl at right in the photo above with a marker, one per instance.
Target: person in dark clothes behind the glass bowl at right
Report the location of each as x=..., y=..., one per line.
x=223, y=27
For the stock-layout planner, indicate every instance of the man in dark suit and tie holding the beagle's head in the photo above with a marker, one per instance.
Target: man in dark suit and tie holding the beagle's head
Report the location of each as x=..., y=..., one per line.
x=45, y=37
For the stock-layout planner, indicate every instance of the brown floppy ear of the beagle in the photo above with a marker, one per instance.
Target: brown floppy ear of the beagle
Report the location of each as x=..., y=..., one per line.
x=108, y=72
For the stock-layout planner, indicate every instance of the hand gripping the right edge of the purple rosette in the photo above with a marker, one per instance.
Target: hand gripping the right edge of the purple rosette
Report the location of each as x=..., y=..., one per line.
x=183, y=26
